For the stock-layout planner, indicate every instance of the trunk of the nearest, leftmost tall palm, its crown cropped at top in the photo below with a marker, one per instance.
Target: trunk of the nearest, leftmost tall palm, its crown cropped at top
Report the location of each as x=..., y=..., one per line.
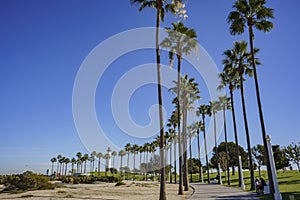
x=163, y=195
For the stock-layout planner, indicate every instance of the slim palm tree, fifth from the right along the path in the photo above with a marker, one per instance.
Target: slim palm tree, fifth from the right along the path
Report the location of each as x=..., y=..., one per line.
x=215, y=108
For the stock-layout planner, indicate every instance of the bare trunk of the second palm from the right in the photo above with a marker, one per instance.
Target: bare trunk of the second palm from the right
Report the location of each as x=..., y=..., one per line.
x=252, y=186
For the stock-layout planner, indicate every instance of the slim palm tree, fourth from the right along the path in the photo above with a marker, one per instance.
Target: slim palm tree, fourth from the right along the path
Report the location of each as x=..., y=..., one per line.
x=225, y=105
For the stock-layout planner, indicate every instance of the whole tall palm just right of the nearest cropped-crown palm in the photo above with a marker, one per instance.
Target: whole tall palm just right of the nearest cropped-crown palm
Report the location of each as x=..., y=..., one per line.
x=181, y=40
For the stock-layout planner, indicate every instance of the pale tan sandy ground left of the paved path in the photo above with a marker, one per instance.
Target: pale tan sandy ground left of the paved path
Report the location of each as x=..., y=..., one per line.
x=102, y=191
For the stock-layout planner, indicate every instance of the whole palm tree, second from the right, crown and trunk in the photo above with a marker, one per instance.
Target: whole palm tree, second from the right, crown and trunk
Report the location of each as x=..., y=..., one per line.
x=240, y=58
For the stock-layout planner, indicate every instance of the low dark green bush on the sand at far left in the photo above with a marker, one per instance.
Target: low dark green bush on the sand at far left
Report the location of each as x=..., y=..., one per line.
x=27, y=181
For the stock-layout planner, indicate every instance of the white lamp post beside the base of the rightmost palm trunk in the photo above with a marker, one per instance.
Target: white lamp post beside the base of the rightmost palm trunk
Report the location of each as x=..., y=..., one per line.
x=277, y=194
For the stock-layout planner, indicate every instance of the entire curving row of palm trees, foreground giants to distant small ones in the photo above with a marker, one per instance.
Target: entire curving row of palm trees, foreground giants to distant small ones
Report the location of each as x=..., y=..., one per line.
x=238, y=62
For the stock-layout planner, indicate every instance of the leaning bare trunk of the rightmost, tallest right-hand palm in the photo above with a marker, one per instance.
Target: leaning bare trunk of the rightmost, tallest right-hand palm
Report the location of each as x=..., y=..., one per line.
x=261, y=117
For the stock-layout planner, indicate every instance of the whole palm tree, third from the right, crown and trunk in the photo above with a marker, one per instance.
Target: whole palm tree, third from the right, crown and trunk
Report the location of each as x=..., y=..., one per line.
x=230, y=78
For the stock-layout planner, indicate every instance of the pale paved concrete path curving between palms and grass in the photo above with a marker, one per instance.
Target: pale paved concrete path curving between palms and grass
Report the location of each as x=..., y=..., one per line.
x=211, y=191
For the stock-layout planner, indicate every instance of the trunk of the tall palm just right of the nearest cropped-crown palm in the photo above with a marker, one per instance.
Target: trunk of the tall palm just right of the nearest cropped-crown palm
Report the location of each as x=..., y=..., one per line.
x=180, y=189
